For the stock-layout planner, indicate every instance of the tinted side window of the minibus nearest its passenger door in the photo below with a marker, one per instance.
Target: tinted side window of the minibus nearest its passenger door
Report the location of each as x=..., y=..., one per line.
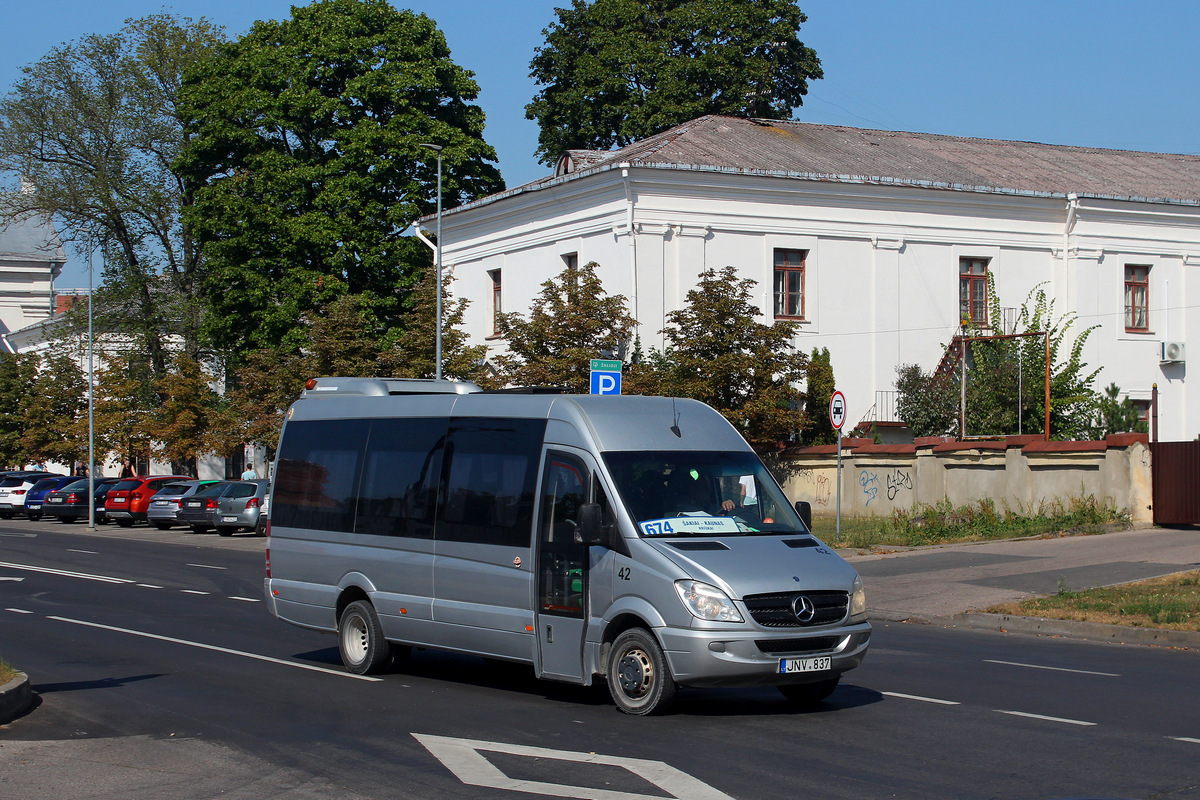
x=491, y=480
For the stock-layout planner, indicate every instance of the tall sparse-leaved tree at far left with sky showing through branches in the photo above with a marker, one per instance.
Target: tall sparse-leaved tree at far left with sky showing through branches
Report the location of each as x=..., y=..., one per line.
x=93, y=129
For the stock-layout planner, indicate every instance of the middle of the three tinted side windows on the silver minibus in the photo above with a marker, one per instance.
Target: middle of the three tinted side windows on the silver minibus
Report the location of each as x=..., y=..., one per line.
x=400, y=478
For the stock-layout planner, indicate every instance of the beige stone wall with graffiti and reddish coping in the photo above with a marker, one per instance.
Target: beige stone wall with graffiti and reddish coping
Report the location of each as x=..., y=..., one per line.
x=1018, y=473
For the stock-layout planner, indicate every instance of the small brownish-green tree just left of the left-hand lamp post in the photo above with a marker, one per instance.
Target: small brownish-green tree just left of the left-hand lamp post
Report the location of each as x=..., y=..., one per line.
x=57, y=413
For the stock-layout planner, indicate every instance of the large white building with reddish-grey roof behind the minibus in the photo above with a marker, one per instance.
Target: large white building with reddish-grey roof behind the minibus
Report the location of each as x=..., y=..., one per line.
x=877, y=242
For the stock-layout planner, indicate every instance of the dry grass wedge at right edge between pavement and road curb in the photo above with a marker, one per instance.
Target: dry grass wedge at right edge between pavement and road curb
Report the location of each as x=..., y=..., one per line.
x=1171, y=603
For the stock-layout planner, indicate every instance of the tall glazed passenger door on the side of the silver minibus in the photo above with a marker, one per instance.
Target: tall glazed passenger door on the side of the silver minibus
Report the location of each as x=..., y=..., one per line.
x=562, y=609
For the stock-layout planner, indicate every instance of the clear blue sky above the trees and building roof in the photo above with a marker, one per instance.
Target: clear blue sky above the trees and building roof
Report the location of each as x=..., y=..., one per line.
x=1081, y=73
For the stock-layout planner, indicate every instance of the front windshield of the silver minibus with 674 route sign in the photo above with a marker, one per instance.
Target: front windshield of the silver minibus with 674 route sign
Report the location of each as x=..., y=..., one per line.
x=701, y=494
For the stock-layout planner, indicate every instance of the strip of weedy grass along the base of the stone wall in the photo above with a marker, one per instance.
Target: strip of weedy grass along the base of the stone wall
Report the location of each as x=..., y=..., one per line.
x=944, y=524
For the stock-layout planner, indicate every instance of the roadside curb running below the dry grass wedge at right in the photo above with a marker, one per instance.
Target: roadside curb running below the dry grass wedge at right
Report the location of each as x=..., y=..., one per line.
x=1043, y=627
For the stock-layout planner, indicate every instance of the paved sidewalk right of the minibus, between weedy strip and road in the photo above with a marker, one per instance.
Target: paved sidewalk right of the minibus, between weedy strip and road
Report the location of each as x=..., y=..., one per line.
x=951, y=585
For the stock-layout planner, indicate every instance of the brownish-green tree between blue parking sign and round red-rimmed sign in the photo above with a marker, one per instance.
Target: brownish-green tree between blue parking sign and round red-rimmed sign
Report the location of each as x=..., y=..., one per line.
x=718, y=353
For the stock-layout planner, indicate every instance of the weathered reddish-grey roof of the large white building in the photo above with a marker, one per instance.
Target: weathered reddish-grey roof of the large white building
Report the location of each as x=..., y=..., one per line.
x=838, y=154
